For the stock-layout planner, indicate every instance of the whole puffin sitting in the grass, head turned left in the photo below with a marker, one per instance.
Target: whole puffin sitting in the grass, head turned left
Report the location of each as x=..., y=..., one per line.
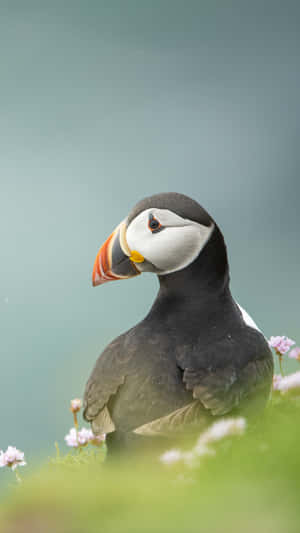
x=198, y=354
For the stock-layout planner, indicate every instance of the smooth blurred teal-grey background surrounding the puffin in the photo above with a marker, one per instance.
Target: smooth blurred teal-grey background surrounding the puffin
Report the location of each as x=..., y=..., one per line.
x=103, y=103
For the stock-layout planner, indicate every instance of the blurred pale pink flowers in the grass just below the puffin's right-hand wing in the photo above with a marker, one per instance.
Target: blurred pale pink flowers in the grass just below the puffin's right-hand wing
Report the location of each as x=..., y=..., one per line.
x=226, y=427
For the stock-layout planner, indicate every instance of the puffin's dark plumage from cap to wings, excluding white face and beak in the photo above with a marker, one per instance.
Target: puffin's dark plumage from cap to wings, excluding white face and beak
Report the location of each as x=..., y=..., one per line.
x=192, y=358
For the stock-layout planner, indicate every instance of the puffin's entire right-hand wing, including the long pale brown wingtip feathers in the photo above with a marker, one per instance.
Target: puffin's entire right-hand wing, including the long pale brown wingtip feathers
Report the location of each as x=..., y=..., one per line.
x=234, y=373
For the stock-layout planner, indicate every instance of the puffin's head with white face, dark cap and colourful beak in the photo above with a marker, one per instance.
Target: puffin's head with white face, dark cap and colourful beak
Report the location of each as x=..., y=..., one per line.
x=163, y=234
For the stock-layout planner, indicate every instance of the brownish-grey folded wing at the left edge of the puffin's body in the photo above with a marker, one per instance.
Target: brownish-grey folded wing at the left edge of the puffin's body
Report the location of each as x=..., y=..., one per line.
x=107, y=376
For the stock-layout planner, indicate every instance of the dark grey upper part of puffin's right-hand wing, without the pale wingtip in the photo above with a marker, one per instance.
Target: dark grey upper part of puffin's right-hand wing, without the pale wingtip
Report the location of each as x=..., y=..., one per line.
x=235, y=369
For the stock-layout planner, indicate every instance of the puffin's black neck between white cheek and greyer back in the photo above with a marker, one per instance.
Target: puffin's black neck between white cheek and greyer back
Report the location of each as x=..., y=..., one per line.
x=205, y=279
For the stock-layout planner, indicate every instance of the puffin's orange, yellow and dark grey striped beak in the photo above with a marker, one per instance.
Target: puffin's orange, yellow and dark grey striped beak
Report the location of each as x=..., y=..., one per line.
x=115, y=260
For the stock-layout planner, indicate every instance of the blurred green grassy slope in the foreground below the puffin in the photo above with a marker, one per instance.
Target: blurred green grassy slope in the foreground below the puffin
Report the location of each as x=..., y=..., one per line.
x=251, y=484
